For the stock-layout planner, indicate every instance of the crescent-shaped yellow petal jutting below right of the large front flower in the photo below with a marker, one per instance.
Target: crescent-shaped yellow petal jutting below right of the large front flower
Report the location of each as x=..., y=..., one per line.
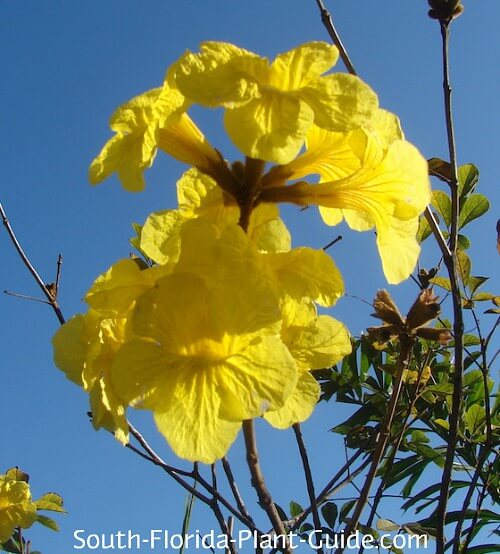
x=299, y=405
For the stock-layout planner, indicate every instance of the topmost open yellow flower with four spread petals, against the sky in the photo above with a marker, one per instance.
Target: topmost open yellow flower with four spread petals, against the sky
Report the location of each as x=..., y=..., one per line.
x=270, y=107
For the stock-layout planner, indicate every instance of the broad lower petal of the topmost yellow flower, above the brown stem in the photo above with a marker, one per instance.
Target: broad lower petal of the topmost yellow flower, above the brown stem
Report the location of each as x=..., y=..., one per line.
x=270, y=128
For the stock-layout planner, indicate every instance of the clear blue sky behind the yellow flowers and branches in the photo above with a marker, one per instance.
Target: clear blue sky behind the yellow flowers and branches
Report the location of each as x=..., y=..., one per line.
x=65, y=67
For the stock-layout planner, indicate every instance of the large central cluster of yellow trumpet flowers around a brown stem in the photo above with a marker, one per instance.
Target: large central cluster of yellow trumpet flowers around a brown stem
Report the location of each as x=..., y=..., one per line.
x=218, y=323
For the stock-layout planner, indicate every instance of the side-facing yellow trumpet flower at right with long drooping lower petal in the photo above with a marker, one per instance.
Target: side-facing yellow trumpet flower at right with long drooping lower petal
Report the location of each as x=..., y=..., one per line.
x=390, y=190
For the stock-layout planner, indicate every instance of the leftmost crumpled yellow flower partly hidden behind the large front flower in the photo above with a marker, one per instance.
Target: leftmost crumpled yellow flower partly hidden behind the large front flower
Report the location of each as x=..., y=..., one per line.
x=85, y=346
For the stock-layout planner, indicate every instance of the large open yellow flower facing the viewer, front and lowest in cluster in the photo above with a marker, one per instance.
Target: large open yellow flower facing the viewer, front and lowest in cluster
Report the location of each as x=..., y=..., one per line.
x=207, y=357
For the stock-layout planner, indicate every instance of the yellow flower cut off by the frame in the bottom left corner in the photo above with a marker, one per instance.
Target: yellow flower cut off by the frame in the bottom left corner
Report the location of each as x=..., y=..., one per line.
x=16, y=507
